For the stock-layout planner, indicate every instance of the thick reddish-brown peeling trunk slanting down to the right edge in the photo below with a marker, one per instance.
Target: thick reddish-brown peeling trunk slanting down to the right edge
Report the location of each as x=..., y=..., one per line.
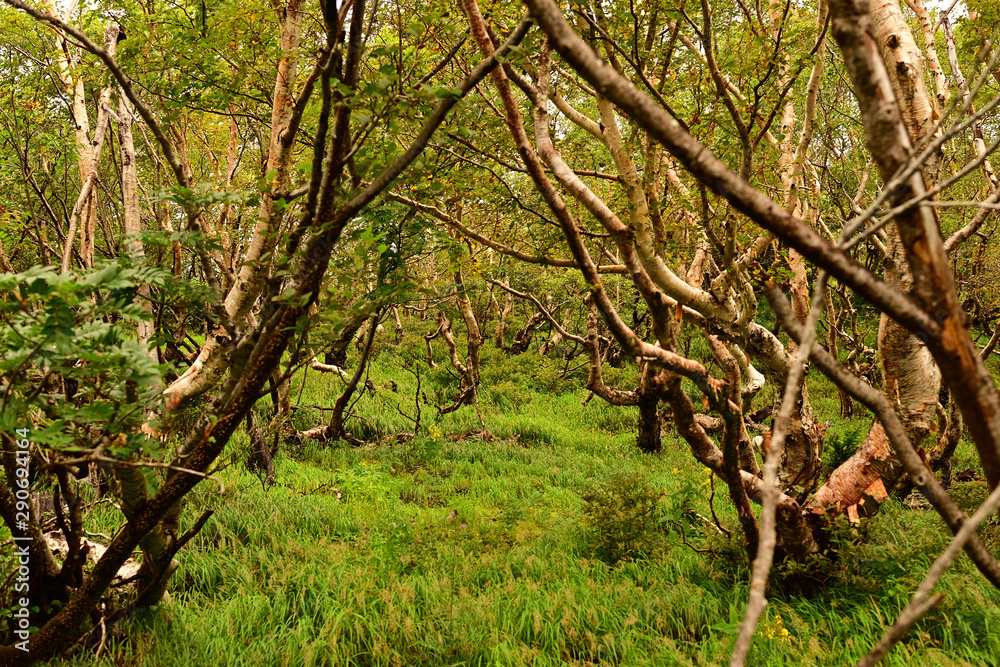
x=948, y=339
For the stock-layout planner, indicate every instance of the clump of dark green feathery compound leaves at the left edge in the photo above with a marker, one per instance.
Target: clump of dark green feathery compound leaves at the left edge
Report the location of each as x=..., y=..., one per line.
x=81, y=326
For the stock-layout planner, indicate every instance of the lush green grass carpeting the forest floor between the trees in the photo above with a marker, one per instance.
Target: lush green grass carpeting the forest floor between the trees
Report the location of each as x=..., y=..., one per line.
x=553, y=542
